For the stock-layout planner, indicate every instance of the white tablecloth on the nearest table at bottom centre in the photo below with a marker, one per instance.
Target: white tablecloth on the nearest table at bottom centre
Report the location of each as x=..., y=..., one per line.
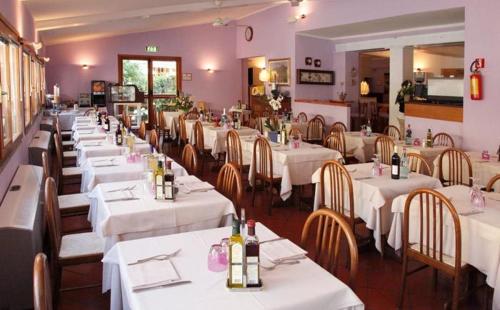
x=288, y=287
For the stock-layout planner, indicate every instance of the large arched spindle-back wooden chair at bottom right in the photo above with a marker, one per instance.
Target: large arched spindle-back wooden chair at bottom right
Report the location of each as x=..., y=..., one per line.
x=428, y=246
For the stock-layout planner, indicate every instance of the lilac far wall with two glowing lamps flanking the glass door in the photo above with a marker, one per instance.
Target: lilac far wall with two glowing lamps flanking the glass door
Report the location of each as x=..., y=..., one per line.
x=199, y=46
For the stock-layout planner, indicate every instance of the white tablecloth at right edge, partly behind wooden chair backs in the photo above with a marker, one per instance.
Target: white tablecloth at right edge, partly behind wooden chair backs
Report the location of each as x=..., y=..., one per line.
x=483, y=170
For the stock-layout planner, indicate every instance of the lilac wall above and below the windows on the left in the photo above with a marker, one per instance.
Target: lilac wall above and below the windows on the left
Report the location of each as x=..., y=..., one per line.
x=15, y=12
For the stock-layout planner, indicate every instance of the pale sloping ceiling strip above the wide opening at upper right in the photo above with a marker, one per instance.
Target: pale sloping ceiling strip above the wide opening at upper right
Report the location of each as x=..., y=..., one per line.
x=391, y=24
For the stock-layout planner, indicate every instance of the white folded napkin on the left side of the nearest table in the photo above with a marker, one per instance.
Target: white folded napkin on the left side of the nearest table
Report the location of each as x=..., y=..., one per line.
x=151, y=274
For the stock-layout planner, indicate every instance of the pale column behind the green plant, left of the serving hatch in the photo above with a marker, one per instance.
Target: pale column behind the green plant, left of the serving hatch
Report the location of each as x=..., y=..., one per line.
x=401, y=68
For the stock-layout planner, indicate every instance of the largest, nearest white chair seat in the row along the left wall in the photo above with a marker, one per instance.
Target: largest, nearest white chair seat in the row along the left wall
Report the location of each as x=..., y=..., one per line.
x=80, y=245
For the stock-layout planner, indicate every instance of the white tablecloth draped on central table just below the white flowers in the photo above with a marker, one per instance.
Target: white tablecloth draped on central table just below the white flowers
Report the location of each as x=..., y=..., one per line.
x=295, y=166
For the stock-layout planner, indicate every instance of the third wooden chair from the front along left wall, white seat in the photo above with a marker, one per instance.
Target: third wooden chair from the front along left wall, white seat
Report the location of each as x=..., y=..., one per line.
x=72, y=204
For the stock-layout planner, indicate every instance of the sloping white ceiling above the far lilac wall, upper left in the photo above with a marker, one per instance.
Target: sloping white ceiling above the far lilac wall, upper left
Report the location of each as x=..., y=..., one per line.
x=62, y=21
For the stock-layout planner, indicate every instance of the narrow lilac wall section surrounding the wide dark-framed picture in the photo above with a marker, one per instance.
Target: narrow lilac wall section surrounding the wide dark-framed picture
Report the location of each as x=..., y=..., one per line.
x=316, y=49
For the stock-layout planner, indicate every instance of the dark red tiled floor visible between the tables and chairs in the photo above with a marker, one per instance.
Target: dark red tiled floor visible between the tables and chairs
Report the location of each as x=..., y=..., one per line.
x=377, y=283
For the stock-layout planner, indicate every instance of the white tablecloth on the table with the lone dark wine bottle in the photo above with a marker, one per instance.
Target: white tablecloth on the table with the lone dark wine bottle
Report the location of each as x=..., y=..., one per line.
x=373, y=196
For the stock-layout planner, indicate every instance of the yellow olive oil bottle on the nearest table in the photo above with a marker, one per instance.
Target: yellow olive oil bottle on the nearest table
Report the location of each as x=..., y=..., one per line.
x=236, y=257
